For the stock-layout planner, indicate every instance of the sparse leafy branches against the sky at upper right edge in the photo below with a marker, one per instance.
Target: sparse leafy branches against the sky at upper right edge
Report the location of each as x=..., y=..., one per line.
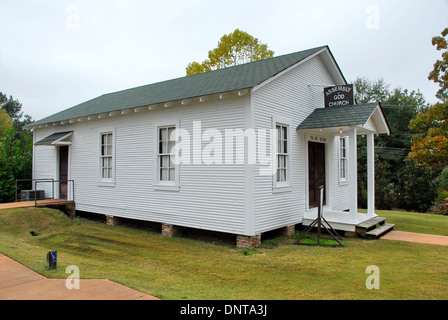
x=440, y=72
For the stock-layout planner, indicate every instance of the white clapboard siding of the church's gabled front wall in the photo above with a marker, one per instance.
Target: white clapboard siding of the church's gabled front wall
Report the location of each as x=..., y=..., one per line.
x=294, y=96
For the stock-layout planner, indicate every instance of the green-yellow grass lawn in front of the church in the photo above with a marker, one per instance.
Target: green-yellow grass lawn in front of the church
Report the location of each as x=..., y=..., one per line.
x=182, y=268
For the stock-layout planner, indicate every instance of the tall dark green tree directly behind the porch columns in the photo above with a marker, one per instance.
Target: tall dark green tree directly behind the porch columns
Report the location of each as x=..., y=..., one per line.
x=400, y=106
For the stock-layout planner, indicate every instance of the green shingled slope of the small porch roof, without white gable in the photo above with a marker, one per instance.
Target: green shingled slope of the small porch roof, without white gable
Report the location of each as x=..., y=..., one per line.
x=343, y=116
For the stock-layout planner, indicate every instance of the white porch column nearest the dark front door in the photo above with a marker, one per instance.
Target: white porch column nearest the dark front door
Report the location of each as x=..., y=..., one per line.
x=353, y=173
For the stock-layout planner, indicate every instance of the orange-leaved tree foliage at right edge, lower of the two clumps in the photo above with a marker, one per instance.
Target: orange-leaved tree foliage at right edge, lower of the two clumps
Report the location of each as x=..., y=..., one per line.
x=430, y=144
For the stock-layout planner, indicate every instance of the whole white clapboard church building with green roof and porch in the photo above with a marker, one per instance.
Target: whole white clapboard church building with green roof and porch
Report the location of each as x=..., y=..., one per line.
x=240, y=150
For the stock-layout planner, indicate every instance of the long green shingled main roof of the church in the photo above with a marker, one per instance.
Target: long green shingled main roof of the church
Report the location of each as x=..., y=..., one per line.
x=223, y=80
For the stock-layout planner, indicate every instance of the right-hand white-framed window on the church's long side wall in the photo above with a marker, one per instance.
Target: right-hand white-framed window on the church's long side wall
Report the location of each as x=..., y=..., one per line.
x=166, y=154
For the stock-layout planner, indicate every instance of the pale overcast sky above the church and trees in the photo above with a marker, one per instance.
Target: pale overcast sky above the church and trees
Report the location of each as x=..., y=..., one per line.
x=55, y=54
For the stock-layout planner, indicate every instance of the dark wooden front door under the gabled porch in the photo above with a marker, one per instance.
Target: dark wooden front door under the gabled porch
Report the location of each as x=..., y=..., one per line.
x=316, y=171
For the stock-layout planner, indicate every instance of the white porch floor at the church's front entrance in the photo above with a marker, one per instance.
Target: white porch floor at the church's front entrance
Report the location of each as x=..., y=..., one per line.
x=339, y=220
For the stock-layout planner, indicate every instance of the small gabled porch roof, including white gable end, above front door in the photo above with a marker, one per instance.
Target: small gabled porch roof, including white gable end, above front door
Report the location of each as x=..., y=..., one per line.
x=366, y=117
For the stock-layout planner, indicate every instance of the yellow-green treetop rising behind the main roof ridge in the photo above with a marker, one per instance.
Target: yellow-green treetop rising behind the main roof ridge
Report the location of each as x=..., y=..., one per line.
x=235, y=48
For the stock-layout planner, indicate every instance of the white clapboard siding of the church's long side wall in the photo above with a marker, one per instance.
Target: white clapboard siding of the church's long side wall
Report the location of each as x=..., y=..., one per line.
x=211, y=197
